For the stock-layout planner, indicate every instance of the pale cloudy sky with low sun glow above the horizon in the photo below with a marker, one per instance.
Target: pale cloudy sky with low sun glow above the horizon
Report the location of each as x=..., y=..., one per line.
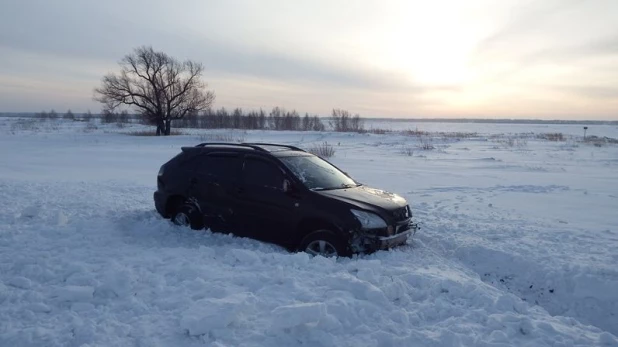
x=544, y=59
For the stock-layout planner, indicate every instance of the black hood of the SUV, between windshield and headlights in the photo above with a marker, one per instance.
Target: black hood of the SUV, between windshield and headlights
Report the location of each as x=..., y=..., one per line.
x=367, y=198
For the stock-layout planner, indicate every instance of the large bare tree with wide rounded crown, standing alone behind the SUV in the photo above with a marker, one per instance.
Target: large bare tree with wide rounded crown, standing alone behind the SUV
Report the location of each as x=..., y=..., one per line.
x=157, y=86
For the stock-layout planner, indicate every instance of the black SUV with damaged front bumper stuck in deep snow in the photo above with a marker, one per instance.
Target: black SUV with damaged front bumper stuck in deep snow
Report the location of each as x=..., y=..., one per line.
x=280, y=194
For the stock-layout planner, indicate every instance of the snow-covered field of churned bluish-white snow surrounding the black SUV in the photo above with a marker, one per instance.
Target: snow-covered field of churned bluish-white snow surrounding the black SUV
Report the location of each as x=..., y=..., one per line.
x=518, y=246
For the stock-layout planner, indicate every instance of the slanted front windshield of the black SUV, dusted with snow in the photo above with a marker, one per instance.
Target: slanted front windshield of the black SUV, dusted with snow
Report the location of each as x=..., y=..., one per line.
x=317, y=174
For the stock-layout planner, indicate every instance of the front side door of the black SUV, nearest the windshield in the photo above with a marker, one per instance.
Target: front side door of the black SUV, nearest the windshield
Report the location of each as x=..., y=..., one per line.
x=269, y=213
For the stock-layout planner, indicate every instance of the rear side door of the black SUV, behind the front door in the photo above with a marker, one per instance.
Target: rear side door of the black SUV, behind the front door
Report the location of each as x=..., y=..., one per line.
x=216, y=183
